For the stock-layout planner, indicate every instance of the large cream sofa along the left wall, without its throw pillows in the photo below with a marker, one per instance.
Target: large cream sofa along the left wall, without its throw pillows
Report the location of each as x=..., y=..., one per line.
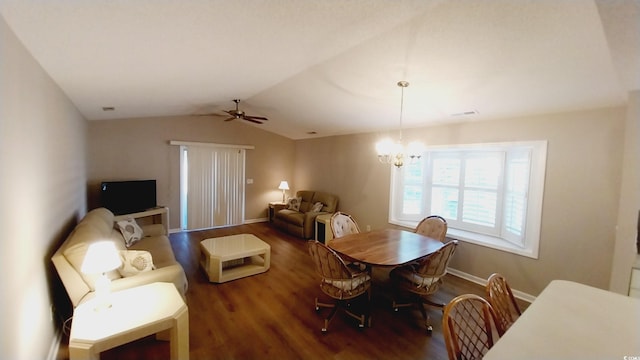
x=99, y=224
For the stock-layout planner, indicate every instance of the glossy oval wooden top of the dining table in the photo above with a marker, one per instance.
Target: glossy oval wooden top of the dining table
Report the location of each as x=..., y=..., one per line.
x=385, y=247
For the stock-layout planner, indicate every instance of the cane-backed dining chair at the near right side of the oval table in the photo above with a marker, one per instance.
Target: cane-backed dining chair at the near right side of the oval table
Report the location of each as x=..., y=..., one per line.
x=422, y=279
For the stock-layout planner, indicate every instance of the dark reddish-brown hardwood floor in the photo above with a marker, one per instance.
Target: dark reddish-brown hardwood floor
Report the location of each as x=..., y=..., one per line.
x=272, y=315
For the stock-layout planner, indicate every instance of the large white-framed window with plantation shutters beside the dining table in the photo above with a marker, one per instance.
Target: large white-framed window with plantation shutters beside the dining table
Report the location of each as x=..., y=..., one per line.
x=490, y=194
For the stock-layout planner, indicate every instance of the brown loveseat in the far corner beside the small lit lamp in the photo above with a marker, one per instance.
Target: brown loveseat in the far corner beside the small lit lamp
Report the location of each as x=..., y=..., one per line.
x=301, y=223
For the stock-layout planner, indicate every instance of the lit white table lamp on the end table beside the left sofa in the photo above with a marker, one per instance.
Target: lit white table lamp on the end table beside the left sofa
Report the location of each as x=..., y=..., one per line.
x=101, y=257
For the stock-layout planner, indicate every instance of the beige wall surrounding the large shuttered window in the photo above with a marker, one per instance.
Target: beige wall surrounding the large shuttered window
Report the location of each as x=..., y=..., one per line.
x=580, y=202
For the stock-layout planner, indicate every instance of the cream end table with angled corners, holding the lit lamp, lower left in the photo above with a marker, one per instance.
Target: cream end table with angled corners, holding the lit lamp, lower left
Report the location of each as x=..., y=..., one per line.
x=134, y=314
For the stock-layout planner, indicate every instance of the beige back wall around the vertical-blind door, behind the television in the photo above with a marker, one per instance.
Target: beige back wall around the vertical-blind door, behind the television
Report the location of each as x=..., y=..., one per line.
x=139, y=149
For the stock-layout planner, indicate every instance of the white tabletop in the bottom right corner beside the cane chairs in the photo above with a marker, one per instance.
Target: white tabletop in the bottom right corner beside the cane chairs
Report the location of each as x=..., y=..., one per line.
x=573, y=321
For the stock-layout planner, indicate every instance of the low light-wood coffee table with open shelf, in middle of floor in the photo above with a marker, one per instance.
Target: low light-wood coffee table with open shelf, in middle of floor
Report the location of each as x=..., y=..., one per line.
x=232, y=257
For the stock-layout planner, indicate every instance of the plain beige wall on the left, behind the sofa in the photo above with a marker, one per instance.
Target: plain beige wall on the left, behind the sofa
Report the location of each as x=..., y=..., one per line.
x=42, y=187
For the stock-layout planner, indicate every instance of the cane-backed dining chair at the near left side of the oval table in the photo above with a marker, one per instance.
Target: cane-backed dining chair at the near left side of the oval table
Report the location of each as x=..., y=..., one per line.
x=341, y=283
